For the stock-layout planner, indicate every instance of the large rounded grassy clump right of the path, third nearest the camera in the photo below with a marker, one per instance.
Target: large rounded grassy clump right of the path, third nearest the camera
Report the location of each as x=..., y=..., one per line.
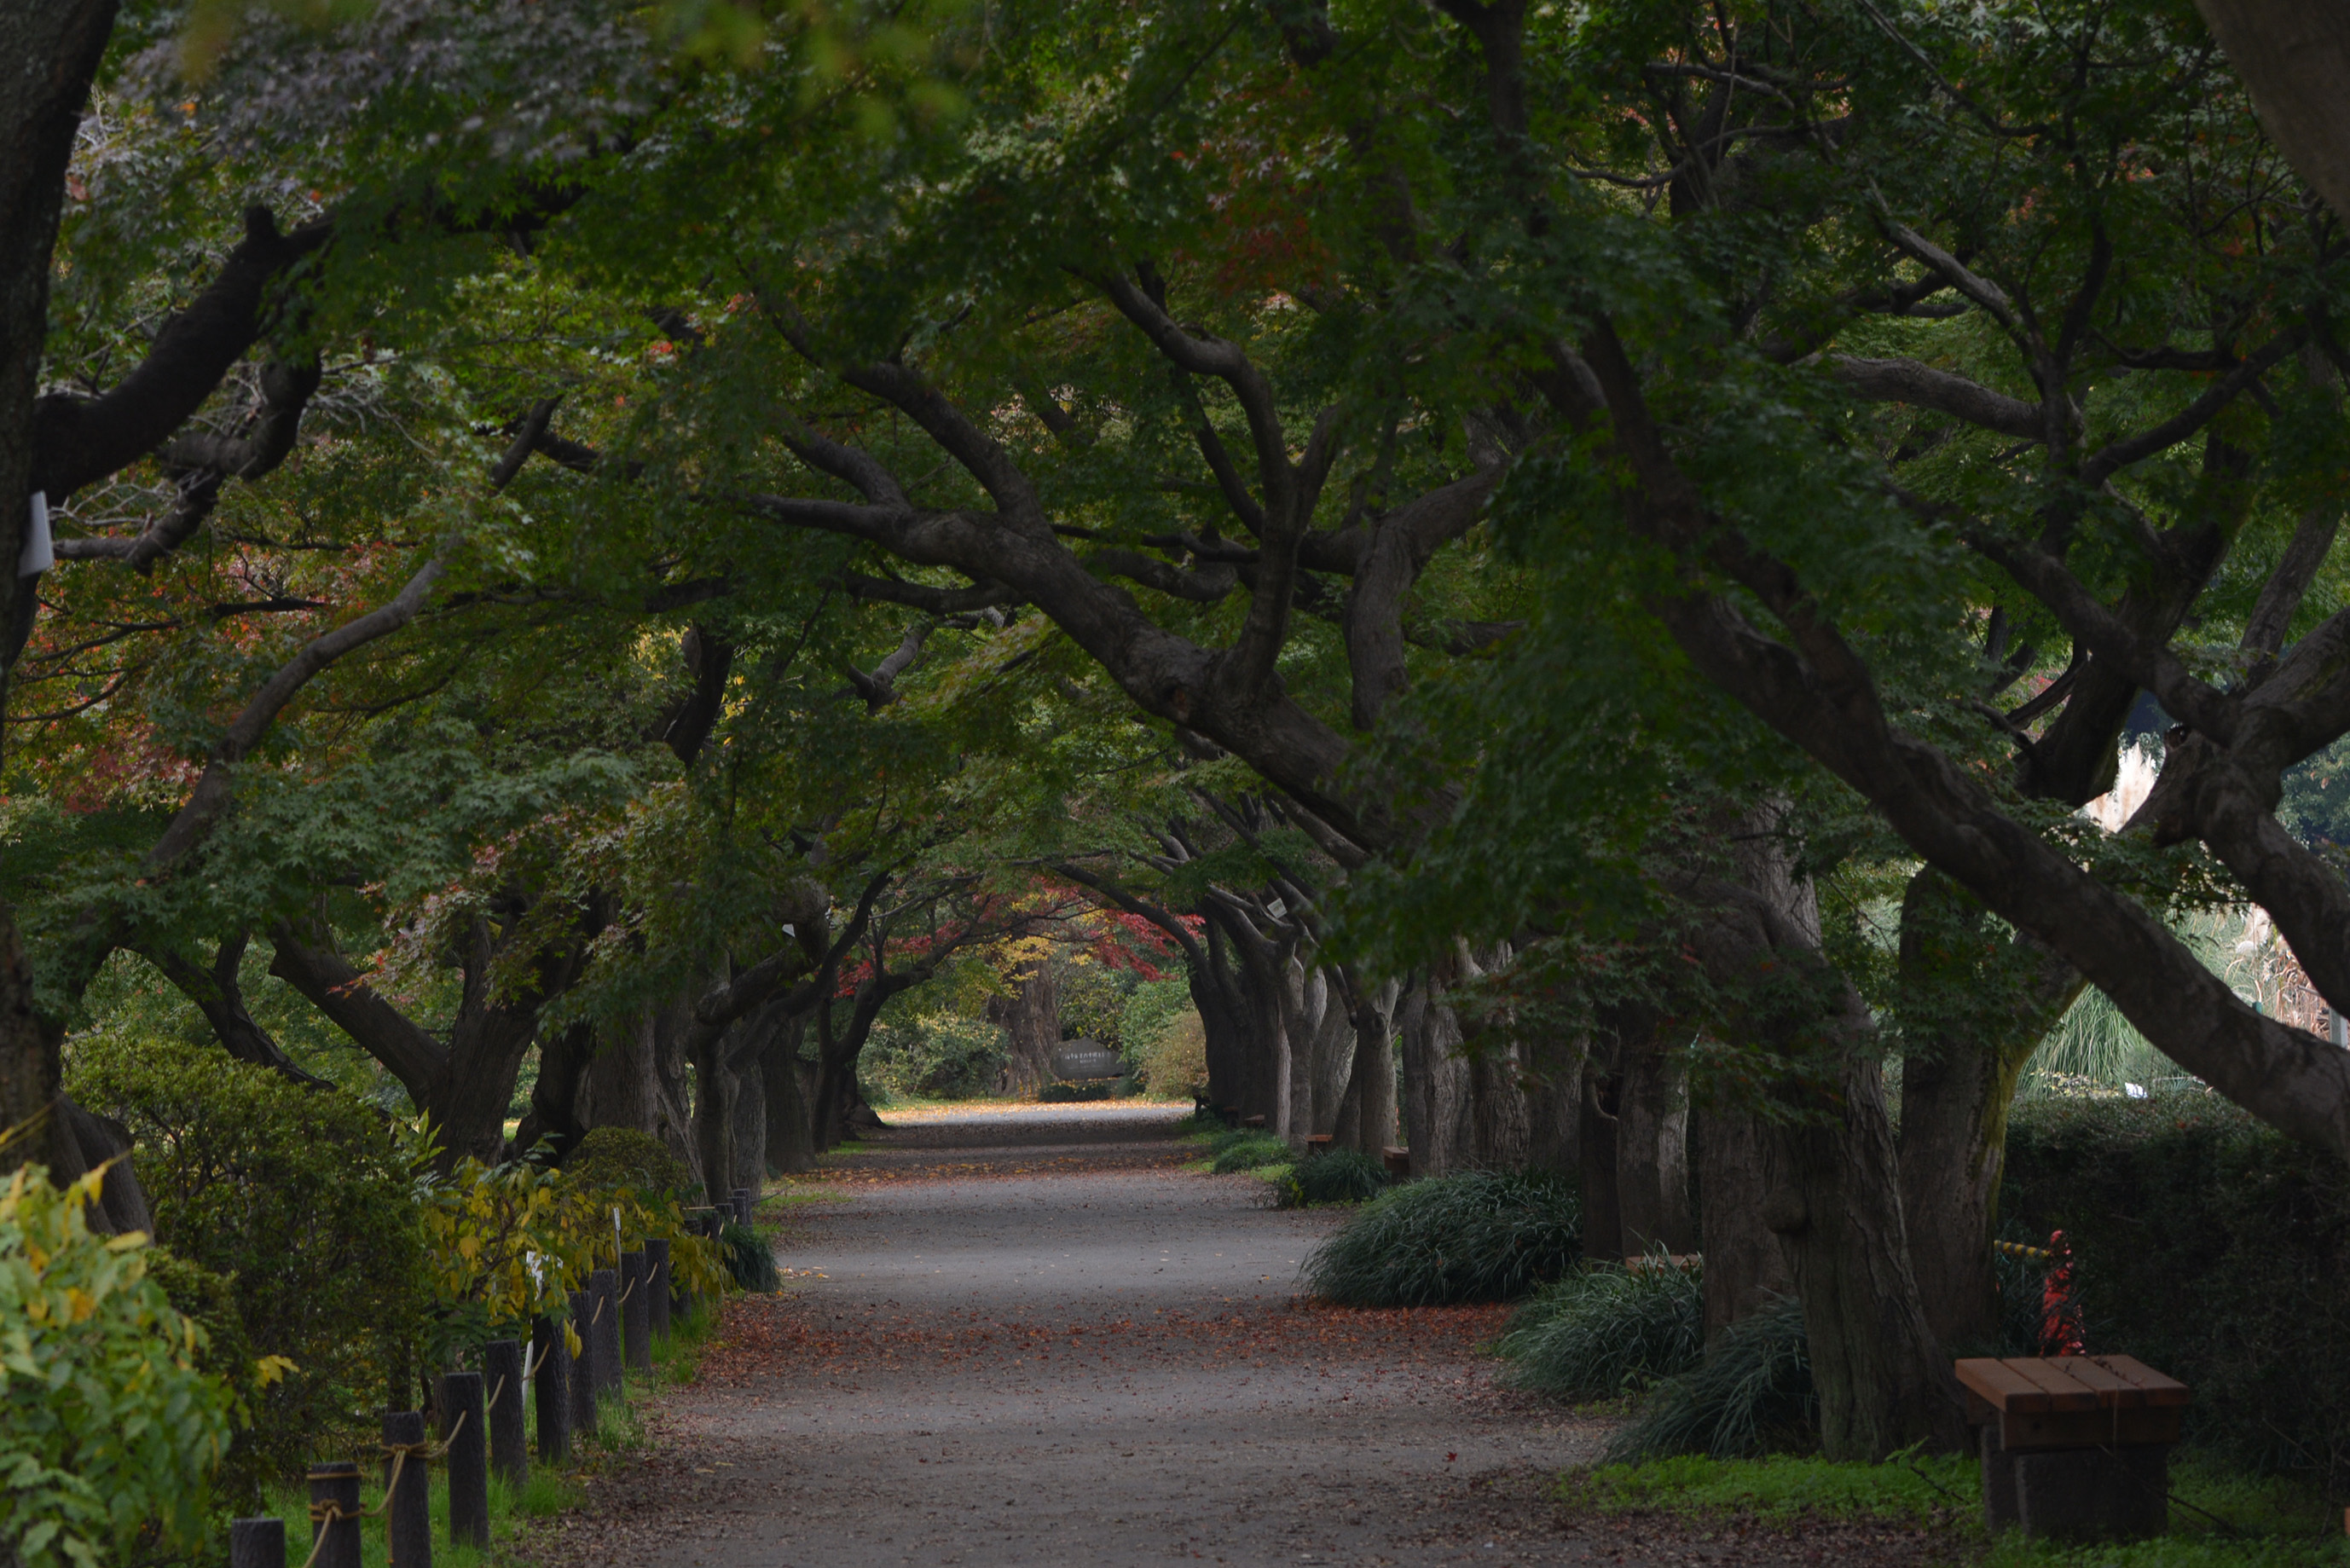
x=1482, y=1235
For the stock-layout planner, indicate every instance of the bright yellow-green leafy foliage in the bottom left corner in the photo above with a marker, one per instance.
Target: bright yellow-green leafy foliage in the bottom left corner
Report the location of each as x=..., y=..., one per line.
x=107, y=1421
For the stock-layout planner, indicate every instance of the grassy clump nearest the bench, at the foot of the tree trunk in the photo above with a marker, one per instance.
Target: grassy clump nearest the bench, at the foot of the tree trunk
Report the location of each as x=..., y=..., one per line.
x=1752, y=1395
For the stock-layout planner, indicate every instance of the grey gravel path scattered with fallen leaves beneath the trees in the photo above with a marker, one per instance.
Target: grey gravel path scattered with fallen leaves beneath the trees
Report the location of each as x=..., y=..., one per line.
x=1030, y=1336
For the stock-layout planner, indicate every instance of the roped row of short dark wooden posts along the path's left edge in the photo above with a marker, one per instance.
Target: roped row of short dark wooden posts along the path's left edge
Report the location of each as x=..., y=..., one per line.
x=619, y=1318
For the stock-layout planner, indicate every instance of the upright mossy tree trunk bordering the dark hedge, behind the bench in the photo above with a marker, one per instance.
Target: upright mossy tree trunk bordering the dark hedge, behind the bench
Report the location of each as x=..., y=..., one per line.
x=1975, y=1003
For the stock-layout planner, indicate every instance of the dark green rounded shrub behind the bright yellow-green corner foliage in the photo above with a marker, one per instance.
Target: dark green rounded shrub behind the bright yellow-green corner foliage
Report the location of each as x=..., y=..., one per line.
x=304, y=1200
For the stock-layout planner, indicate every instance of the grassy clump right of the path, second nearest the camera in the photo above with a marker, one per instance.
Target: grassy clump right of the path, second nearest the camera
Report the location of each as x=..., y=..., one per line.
x=1606, y=1332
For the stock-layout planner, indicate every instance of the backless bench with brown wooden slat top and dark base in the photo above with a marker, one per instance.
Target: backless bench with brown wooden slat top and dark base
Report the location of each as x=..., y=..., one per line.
x=2074, y=1447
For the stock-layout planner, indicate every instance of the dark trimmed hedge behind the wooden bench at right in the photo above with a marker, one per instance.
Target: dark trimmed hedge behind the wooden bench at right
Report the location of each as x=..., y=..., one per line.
x=2213, y=1249
